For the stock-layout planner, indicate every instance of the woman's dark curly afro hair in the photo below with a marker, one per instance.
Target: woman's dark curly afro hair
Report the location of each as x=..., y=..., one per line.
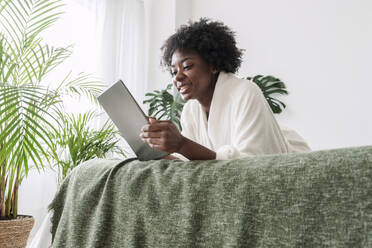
x=212, y=40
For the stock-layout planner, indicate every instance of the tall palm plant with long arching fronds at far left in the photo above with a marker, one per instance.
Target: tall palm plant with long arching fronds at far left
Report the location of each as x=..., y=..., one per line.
x=28, y=109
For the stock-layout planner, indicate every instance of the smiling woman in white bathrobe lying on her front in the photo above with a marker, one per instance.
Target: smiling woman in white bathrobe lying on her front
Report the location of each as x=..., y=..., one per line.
x=225, y=117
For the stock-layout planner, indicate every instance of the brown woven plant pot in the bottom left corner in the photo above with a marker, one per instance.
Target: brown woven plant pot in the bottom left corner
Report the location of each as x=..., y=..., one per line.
x=14, y=233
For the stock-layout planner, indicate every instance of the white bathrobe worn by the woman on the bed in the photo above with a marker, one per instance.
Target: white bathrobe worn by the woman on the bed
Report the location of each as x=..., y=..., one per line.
x=240, y=122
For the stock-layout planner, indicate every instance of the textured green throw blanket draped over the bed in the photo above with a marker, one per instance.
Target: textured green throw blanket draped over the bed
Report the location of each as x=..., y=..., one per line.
x=317, y=199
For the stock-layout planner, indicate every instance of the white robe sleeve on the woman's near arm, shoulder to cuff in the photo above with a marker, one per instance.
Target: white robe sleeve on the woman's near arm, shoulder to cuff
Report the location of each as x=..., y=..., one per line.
x=254, y=127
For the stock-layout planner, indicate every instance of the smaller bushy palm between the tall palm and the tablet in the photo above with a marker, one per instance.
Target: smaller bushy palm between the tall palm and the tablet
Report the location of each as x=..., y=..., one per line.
x=76, y=142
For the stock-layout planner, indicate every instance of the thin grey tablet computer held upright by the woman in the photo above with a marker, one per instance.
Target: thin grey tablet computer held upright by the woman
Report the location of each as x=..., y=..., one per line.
x=129, y=118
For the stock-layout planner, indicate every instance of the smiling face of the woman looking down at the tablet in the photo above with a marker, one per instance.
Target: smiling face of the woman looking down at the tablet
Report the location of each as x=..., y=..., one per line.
x=193, y=77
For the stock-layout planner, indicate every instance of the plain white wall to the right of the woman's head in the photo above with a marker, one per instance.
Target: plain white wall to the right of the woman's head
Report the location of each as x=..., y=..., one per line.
x=321, y=49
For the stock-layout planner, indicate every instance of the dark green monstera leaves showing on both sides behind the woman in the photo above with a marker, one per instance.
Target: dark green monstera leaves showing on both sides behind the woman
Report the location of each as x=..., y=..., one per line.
x=162, y=104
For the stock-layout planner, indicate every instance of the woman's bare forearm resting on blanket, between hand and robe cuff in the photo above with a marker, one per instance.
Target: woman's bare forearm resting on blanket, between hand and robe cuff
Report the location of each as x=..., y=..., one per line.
x=195, y=151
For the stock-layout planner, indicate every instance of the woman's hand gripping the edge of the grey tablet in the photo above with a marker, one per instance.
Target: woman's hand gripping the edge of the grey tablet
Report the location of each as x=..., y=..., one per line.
x=162, y=135
